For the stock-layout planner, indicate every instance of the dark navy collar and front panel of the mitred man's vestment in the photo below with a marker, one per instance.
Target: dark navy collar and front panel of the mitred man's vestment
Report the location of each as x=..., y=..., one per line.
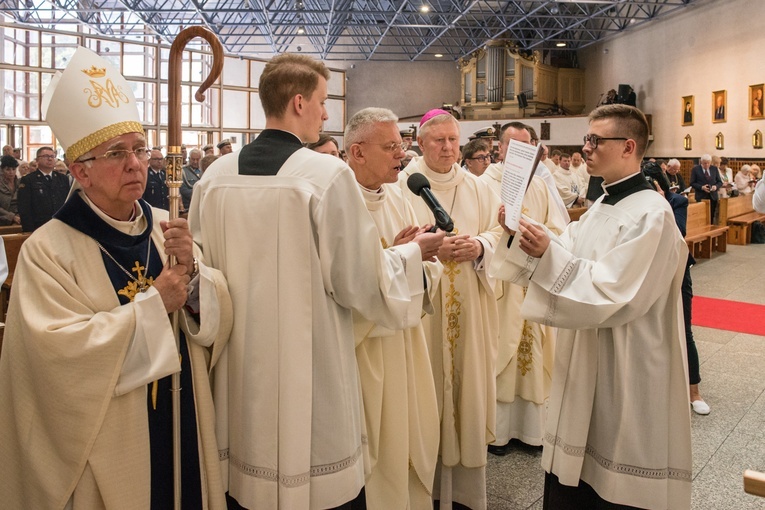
x=133, y=263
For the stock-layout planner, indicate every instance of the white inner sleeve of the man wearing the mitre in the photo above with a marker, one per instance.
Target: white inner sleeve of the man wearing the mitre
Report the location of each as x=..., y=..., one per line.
x=152, y=353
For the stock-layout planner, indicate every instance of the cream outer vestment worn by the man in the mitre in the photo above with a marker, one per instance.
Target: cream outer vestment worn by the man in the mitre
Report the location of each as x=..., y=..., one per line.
x=87, y=447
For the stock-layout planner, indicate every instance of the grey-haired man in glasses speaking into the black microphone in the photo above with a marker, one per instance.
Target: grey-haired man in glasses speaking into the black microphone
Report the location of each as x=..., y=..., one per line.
x=398, y=393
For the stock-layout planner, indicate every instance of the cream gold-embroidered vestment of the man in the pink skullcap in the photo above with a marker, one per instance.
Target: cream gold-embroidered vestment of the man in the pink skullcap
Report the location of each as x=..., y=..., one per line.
x=462, y=335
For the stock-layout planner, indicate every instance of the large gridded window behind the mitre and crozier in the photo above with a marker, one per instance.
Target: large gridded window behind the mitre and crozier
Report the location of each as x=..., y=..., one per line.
x=29, y=57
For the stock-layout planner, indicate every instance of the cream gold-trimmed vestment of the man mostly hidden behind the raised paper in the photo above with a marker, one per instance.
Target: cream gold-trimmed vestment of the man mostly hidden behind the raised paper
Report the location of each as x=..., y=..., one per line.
x=526, y=348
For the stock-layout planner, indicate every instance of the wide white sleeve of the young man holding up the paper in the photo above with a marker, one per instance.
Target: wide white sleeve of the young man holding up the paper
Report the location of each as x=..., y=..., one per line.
x=576, y=293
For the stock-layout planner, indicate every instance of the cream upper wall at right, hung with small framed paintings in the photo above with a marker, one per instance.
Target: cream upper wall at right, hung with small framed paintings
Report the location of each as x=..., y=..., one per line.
x=712, y=45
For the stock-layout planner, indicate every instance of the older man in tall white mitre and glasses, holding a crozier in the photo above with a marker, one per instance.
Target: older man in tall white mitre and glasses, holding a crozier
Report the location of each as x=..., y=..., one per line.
x=89, y=346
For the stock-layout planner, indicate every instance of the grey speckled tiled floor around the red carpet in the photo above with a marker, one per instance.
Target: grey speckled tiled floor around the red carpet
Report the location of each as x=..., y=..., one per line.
x=727, y=441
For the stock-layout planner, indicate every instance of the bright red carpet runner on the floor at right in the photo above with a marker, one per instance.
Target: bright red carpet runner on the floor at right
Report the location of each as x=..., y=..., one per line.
x=729, y=315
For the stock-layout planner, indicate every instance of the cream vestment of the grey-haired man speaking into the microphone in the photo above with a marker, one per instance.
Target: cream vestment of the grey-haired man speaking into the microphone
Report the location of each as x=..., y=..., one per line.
x=400, y=410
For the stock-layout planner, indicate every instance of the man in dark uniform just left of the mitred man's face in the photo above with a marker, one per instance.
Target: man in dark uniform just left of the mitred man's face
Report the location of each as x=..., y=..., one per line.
x=41, y=192
